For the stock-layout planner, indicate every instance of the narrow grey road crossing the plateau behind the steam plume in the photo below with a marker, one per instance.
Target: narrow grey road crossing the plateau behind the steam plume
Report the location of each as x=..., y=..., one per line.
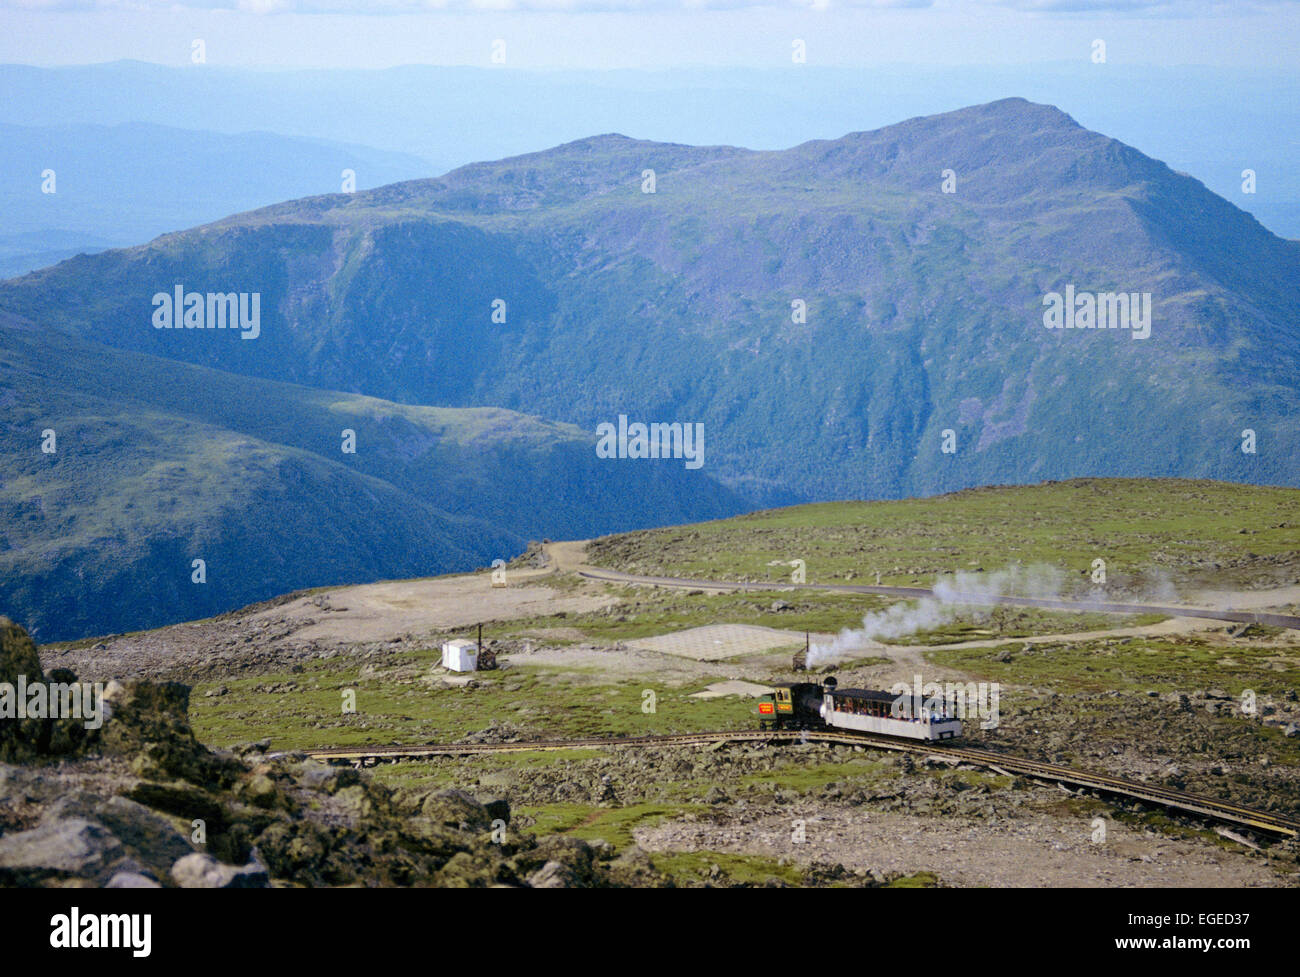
x=1056, y=603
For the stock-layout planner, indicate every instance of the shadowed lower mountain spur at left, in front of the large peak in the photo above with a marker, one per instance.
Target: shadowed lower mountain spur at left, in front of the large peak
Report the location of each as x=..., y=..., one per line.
x=159, y=463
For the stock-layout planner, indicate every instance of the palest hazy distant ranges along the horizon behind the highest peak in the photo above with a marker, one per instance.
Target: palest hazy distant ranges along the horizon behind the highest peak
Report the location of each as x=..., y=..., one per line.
x=1207, y=121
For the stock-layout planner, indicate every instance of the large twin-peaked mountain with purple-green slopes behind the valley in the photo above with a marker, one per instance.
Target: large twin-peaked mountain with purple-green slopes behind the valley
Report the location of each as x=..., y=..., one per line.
x=925, y=310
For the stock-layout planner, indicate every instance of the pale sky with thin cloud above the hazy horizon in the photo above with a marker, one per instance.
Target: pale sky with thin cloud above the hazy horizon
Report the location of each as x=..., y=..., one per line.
x=606, y=34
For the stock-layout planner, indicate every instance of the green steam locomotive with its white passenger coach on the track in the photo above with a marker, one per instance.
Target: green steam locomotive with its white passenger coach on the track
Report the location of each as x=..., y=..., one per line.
x=811, y=706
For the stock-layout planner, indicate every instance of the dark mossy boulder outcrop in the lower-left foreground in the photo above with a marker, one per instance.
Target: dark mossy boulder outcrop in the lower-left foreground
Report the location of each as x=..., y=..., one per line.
x=141, y=804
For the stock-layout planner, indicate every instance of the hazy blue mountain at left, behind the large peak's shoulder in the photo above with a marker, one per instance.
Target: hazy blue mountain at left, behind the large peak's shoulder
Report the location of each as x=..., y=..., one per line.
x=125, y=184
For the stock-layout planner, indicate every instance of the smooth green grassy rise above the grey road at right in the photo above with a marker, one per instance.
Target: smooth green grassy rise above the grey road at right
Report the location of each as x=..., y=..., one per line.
x=1154, y=535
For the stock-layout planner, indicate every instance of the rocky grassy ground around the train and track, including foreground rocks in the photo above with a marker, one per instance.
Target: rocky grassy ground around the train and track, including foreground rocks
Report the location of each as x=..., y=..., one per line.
x=1186, y=704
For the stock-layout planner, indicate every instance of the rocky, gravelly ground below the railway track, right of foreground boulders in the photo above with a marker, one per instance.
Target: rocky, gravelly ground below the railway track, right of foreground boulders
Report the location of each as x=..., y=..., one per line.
x=844, y=814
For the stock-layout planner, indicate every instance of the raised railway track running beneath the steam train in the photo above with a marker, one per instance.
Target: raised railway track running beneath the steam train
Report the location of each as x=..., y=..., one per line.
x=1168, y=798
